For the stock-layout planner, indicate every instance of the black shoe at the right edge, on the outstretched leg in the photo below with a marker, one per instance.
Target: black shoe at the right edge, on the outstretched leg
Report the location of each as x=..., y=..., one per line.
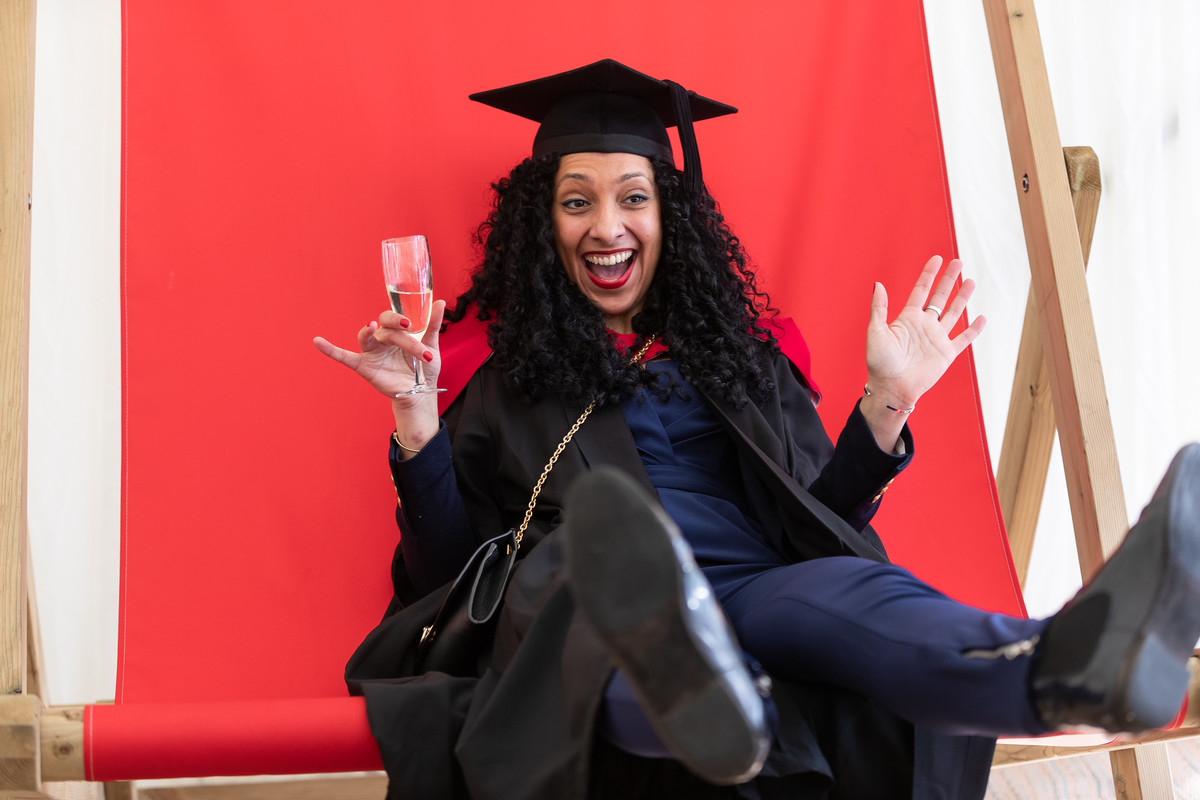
x=1115, y=658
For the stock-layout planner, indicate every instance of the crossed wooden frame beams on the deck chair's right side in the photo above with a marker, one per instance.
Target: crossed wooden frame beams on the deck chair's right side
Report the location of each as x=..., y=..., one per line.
x=1059, y=210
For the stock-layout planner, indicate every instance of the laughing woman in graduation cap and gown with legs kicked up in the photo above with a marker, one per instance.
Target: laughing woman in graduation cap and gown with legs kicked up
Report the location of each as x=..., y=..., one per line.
x=598, y=249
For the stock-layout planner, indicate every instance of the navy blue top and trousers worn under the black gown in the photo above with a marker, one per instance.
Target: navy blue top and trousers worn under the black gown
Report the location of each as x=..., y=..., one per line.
x=854, y=623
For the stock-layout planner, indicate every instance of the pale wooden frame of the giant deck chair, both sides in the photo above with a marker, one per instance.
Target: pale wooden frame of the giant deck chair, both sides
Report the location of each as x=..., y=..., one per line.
x=1058, y=384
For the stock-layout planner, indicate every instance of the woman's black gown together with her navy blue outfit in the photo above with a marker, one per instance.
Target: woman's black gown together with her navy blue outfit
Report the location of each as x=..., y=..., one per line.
x=875, y=673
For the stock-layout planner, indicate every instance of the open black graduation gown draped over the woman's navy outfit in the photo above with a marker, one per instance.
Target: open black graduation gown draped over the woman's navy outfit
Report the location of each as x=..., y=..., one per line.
x=524, y=729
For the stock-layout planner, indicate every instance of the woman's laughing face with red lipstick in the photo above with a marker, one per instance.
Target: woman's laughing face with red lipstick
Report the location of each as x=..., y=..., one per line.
x=608, y=231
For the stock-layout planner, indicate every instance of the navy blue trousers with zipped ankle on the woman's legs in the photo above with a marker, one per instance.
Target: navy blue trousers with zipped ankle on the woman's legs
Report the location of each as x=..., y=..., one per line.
x=877, y=630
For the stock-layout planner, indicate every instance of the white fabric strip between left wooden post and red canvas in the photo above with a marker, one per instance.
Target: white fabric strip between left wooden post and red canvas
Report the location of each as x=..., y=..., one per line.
x=75, y=416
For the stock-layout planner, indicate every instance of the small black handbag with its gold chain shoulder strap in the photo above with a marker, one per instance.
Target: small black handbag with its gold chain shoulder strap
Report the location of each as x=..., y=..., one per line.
x=454, y=641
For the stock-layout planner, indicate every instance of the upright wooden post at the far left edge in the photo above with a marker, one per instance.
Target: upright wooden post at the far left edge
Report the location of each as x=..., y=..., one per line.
x=16, y=188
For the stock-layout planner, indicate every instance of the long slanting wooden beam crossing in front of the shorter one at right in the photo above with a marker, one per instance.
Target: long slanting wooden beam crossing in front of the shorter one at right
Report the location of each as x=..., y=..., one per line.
x=1057, y=262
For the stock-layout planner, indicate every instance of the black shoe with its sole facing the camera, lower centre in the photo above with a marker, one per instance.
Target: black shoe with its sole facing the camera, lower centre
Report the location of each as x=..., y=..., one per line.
x=637, y=582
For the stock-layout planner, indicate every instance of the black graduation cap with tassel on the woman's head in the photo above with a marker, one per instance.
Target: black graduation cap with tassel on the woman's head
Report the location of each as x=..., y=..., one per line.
x=608, y=107
